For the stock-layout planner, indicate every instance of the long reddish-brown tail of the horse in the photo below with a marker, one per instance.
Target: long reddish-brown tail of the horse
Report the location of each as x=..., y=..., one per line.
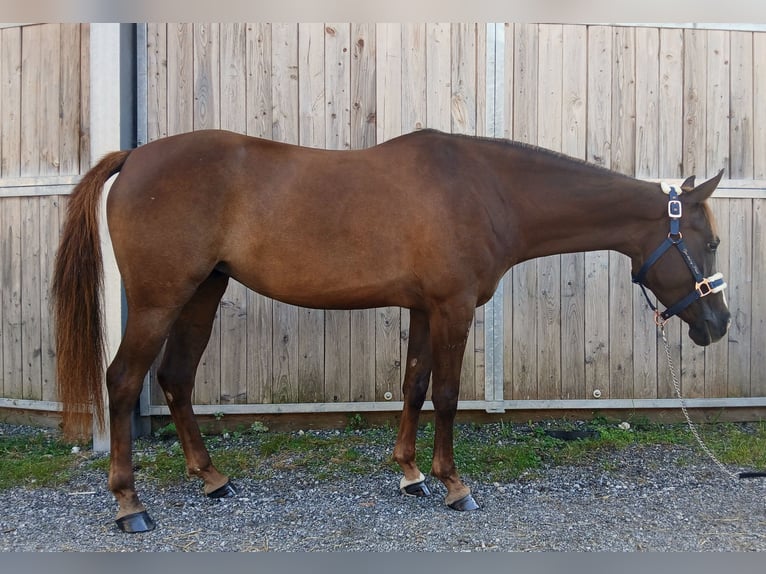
x=77, y=302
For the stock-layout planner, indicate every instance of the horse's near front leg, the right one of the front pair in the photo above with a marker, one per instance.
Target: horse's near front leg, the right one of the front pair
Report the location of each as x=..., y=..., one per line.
x=449, y=334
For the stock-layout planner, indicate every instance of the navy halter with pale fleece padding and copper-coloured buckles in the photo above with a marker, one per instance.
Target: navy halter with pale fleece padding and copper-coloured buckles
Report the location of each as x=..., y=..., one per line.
x=703, y=285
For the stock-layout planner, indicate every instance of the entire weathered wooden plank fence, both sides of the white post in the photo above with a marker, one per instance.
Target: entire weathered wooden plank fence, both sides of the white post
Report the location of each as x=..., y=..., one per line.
x=658, y=103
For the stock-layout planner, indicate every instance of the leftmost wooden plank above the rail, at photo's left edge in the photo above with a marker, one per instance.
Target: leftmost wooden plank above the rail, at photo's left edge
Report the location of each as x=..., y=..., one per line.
x=10, y=94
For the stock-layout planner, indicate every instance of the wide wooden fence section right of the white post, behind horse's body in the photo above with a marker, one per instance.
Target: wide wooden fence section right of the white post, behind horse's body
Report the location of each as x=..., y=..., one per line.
x=656, y=103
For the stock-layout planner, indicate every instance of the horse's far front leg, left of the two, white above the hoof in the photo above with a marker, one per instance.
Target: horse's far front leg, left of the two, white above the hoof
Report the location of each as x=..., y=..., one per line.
x=416, y=378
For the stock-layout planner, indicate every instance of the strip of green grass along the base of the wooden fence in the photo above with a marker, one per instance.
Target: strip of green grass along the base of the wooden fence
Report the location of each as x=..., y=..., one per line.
x=497, y=452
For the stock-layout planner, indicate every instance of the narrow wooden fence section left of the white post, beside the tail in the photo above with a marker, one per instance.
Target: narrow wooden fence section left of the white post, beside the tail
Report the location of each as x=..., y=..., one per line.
x=44, y=146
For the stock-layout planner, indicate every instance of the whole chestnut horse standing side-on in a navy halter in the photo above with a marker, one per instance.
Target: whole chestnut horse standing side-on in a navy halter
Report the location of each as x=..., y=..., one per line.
x=428, y=221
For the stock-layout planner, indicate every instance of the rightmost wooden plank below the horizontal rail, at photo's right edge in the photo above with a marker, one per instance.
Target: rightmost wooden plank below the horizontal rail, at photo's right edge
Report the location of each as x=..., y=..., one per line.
x=758, y=319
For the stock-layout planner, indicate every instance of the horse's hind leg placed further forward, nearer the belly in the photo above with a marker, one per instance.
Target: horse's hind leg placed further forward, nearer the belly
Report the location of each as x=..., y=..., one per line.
x=184, y=348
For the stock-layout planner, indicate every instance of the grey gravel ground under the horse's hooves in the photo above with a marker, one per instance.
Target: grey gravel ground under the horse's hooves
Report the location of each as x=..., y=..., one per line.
x=645, y=501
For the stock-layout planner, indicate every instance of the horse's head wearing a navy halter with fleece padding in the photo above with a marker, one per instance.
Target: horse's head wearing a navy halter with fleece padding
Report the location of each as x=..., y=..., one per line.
x=678, y=262
